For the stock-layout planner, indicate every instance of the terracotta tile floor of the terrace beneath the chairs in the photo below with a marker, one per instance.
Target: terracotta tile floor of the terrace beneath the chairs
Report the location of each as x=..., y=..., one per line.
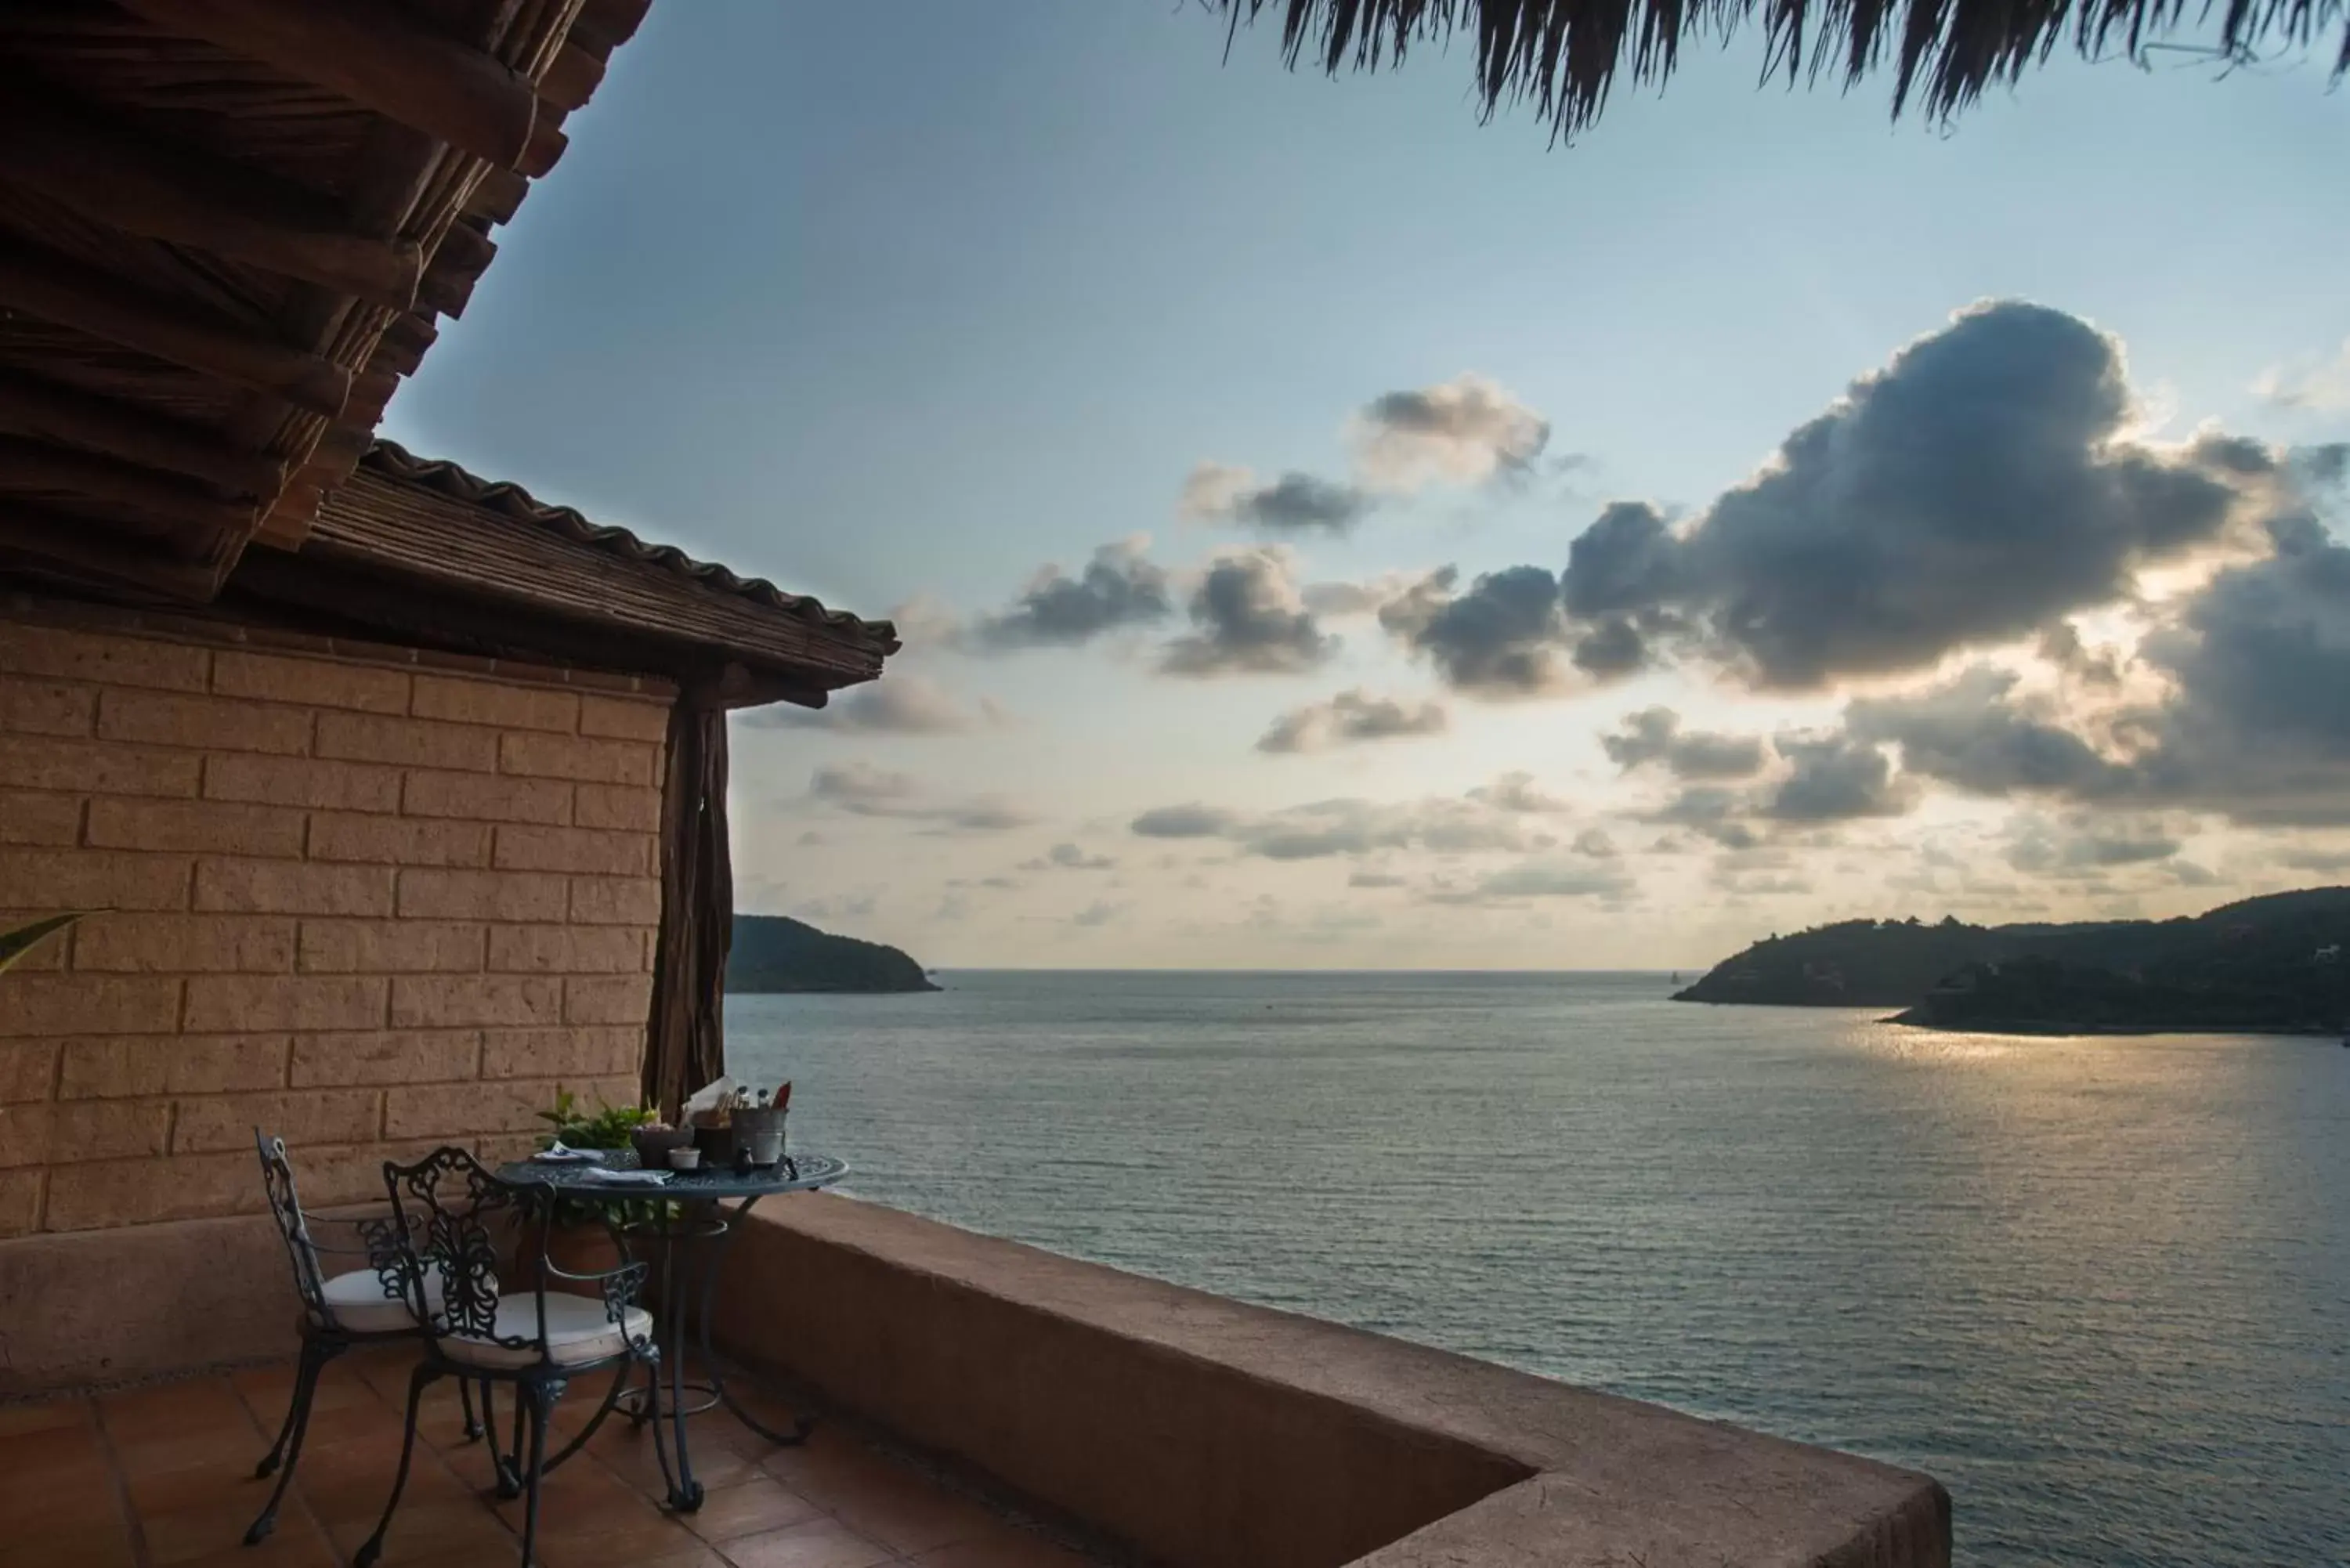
x=163, y=1477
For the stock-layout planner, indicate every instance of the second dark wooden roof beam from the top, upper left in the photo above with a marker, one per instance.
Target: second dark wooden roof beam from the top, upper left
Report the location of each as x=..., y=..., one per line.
x=168, y=192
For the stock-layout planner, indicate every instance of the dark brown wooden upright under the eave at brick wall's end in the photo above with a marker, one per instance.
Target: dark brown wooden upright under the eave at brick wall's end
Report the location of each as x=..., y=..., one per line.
x=687, y=1043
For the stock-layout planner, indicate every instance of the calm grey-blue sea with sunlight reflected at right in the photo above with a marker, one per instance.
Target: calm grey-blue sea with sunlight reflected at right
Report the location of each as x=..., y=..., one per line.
x=2097, y=1287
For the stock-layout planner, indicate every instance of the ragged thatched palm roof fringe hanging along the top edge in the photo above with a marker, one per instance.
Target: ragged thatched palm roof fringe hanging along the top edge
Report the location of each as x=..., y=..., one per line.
x=1566, y=55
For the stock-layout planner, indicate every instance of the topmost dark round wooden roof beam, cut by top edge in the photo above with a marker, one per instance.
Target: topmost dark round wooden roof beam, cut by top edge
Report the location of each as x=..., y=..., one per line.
x=372, y=55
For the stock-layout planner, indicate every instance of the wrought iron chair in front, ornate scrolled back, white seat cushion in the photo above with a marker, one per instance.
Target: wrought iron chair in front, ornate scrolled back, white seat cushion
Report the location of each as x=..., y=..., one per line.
x=452, y=1217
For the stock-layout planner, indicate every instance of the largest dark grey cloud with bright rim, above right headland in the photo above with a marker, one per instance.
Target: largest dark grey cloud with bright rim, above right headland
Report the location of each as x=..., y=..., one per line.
x=1978, y=490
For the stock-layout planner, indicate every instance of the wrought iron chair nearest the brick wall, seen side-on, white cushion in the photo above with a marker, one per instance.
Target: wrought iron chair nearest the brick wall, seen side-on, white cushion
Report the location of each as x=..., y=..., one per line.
x=340, y=1311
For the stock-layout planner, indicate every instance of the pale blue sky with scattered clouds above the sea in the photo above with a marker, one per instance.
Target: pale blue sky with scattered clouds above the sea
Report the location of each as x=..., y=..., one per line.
x=1334, y=530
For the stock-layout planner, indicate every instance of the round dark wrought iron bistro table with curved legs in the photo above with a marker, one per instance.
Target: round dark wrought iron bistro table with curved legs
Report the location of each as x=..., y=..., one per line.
x=685, y=1212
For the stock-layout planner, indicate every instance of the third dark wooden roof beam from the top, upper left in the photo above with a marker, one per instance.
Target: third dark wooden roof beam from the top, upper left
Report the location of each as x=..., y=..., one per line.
x=170, y=330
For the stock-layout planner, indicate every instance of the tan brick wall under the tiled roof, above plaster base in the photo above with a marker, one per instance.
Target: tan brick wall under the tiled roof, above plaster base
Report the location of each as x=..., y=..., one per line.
x=358, y=902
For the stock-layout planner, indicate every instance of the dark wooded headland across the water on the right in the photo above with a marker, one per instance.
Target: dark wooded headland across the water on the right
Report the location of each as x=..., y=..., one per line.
x=2264, y=965
